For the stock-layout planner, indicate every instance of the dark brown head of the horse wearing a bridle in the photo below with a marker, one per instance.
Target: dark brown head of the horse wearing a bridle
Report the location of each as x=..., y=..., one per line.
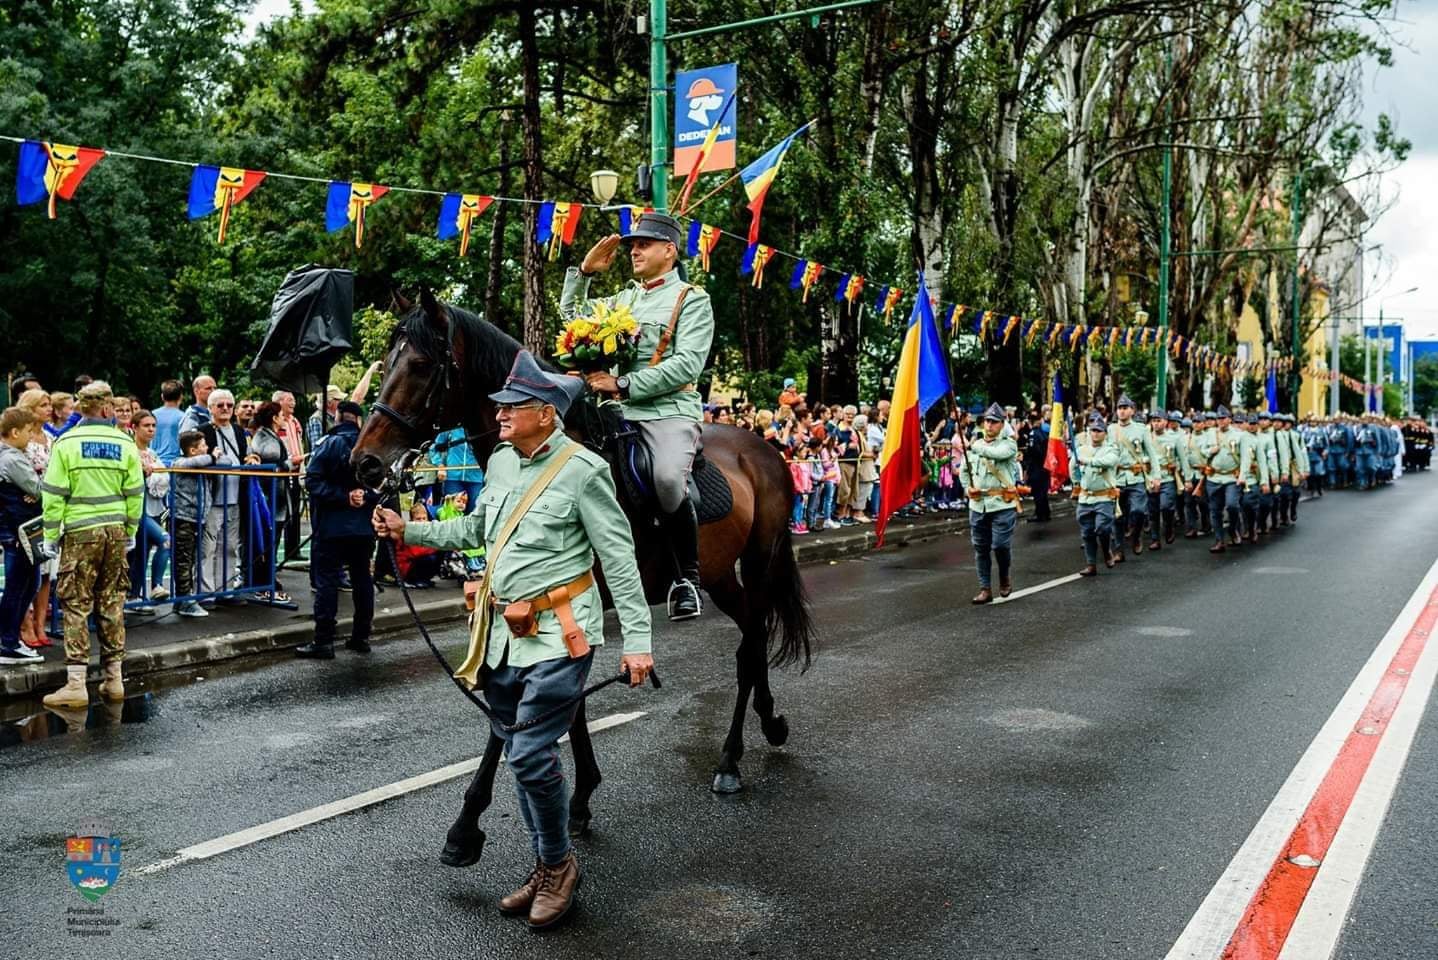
x=418, y=396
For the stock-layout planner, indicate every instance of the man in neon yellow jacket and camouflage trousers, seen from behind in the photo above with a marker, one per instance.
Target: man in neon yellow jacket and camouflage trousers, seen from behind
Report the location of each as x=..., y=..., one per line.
x=93, y=495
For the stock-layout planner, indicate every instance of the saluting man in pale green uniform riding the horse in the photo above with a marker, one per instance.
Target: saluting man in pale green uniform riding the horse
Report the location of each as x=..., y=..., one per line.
x=659, y=393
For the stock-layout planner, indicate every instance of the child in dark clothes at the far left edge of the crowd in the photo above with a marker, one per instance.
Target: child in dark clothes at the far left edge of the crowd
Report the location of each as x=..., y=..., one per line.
x=19, y=502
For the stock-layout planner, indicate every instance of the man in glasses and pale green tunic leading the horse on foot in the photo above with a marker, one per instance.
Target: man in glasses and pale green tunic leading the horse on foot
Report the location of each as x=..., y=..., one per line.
x=547, y=511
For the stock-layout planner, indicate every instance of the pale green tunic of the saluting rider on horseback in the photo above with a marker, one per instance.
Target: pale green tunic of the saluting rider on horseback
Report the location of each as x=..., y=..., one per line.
x=667, y=389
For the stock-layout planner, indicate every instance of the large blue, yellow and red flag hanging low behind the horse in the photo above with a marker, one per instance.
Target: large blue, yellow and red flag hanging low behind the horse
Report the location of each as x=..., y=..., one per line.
x=920, y=383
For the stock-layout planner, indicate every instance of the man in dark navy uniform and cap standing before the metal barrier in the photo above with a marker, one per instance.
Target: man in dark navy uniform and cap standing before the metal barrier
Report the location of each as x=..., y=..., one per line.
x=344, y=537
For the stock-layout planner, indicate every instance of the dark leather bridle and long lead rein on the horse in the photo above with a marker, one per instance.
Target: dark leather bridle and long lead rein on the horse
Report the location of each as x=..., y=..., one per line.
x=400, y=479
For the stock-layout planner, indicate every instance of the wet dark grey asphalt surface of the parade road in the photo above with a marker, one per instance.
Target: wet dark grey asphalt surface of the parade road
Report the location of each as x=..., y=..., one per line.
x=1065, y=777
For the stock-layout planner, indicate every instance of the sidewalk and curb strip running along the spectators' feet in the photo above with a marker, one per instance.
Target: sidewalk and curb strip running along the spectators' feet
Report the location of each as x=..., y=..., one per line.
x=249, y=630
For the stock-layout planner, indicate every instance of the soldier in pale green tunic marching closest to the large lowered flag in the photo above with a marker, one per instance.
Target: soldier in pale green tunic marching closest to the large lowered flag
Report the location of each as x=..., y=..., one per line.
x=992, y=469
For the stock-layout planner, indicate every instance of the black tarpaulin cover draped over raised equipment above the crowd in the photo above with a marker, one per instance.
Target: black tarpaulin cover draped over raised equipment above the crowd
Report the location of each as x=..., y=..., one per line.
x=311, y=328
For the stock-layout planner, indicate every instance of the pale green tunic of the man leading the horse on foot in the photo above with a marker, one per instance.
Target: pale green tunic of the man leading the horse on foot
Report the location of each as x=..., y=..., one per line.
x=574, y=521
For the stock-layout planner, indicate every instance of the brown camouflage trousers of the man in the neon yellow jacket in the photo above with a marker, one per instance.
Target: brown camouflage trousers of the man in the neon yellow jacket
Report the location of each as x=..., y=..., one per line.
x=94, y=577
